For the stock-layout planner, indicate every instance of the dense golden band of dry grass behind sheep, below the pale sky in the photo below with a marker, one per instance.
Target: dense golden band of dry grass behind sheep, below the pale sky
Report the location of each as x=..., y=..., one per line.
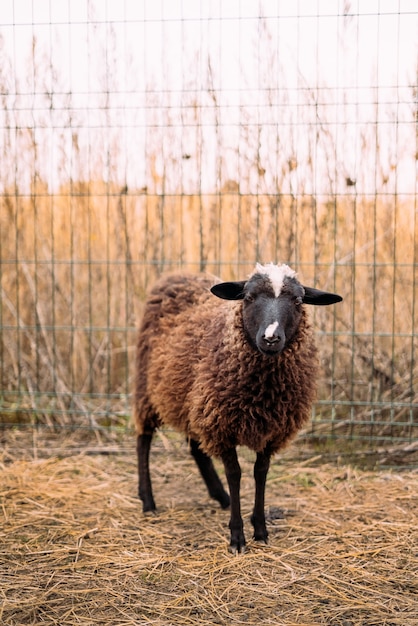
x=76, y=265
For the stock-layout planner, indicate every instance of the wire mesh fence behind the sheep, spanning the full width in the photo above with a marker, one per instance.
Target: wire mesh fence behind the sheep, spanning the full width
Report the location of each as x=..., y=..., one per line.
x=139, y=137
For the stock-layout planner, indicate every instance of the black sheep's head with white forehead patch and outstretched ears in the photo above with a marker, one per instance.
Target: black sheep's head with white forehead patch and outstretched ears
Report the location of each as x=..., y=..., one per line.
x=272, y=301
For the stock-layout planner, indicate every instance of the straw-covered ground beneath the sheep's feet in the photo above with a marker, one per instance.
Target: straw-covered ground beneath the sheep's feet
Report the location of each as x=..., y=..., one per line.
x=76, y=548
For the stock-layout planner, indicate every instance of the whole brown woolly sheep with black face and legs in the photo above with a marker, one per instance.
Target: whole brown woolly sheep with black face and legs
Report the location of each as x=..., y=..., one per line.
x=241, y=372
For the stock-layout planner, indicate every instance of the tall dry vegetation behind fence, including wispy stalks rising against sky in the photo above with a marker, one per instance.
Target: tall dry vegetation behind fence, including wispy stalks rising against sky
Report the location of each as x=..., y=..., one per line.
x=75, y=262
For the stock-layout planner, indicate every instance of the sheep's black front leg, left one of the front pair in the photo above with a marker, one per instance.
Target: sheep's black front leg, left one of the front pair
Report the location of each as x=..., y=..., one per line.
x=233, y=476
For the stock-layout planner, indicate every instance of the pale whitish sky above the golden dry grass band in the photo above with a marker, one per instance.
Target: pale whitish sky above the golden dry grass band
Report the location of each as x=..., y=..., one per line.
x=233, y=84
